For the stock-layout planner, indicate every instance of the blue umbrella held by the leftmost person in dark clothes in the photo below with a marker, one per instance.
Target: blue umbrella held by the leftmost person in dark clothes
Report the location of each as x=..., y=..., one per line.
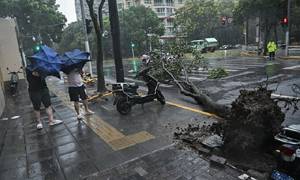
x=46, y=62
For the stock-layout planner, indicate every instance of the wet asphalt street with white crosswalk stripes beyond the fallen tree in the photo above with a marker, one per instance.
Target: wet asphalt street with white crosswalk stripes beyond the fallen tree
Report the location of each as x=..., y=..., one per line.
x=244, y=72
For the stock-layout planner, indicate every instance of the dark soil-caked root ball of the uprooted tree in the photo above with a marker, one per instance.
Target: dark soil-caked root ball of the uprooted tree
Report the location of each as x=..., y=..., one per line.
x=254, y=120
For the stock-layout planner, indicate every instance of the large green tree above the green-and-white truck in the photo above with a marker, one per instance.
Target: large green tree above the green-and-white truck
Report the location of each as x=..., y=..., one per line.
x=199, y=19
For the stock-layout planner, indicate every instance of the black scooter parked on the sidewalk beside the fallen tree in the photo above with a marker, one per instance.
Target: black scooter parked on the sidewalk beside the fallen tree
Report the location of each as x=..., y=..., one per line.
x=126, y=94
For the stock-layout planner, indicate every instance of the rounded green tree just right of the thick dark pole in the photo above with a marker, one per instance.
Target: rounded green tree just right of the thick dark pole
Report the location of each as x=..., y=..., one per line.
x=135, y=24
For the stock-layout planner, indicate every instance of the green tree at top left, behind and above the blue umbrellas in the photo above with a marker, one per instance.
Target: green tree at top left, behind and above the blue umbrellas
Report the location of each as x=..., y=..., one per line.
x=35, y=18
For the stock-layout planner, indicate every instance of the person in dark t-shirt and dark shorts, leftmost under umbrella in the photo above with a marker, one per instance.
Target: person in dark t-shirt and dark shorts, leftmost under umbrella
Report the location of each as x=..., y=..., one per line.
x=39, y=93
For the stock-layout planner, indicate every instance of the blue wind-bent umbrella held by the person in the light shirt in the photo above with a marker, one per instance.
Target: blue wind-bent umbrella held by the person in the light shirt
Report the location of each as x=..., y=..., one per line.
x=75, y=59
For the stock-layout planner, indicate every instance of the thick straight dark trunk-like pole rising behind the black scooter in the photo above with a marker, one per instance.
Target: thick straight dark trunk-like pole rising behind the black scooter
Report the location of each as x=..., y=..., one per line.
x=115, y=32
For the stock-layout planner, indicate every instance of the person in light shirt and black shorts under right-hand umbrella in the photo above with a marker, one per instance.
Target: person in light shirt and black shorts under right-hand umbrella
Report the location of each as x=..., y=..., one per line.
x=76, y=91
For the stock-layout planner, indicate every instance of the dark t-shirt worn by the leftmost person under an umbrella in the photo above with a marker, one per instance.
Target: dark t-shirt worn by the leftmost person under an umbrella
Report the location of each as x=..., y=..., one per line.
x=35, y=83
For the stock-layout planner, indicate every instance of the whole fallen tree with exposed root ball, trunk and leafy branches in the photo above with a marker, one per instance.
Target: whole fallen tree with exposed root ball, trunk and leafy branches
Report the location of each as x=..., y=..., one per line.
x=249, y=124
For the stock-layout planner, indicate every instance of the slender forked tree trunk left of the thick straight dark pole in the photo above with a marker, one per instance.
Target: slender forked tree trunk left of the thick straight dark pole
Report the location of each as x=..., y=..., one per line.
x=100, y=74
